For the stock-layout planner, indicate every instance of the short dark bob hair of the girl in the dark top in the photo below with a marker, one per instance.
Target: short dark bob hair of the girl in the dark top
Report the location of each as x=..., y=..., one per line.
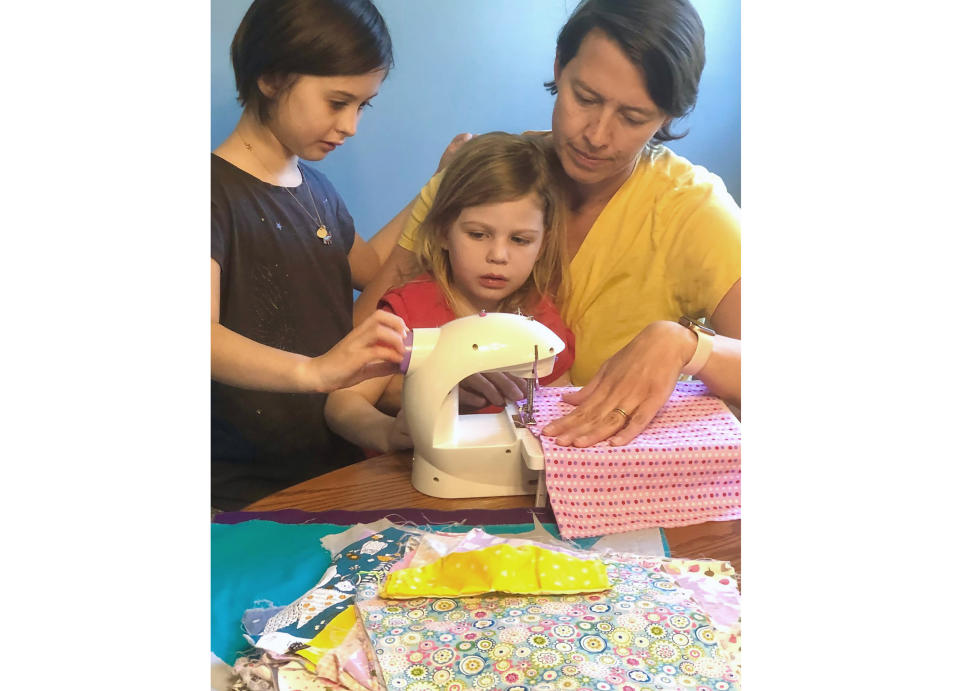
x=280, y=39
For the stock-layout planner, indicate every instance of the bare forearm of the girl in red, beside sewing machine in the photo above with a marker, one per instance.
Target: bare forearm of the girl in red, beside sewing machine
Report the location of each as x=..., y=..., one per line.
x=352, y=414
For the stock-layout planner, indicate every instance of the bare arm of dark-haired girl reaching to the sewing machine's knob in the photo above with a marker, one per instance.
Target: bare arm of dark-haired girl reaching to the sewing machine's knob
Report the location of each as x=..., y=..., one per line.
x=373, y=349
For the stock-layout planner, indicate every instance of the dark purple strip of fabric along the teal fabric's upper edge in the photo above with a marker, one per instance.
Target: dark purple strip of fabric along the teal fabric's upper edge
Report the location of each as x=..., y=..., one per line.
x=418, y=516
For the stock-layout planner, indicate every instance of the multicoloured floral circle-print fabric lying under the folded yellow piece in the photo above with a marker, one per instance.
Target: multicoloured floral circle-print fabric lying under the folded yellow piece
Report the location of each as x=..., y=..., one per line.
x=644, y=633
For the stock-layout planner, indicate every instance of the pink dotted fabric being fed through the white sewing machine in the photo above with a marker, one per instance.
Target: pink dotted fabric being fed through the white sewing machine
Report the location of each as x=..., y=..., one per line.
x=683, y=469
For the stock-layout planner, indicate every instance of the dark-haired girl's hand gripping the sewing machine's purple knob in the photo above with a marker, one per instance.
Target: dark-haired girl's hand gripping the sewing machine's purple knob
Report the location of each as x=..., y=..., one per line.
x=373, y=349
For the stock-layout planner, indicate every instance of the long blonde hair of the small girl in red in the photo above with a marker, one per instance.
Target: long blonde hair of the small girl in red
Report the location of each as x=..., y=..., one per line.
x=492, y=168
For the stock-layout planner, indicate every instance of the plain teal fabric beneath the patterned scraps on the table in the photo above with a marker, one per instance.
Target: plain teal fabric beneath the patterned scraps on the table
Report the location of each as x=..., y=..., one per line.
x=255, y=563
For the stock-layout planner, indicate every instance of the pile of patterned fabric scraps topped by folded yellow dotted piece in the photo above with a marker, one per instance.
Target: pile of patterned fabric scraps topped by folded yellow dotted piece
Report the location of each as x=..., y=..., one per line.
x=402, y=607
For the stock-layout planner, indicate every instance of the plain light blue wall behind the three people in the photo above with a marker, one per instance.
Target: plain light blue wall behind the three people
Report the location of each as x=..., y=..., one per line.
x=476, y=66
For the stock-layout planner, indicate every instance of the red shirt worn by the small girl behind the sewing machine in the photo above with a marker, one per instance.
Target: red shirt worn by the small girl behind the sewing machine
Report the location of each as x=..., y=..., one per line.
x=421, y=305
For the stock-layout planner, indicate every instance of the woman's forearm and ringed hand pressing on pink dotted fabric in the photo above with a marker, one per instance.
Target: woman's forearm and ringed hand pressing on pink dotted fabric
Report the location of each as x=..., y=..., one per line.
x=640, y=377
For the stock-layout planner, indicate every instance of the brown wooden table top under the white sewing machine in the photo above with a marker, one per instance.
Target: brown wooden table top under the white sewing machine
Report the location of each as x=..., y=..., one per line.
x=384, y=482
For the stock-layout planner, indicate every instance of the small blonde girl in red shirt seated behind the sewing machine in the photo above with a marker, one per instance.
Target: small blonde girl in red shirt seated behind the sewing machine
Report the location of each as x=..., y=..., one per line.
x=493, y=240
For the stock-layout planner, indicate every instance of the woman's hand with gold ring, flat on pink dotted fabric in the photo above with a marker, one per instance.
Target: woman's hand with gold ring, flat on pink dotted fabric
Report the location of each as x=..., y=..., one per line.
x=638, y=380
